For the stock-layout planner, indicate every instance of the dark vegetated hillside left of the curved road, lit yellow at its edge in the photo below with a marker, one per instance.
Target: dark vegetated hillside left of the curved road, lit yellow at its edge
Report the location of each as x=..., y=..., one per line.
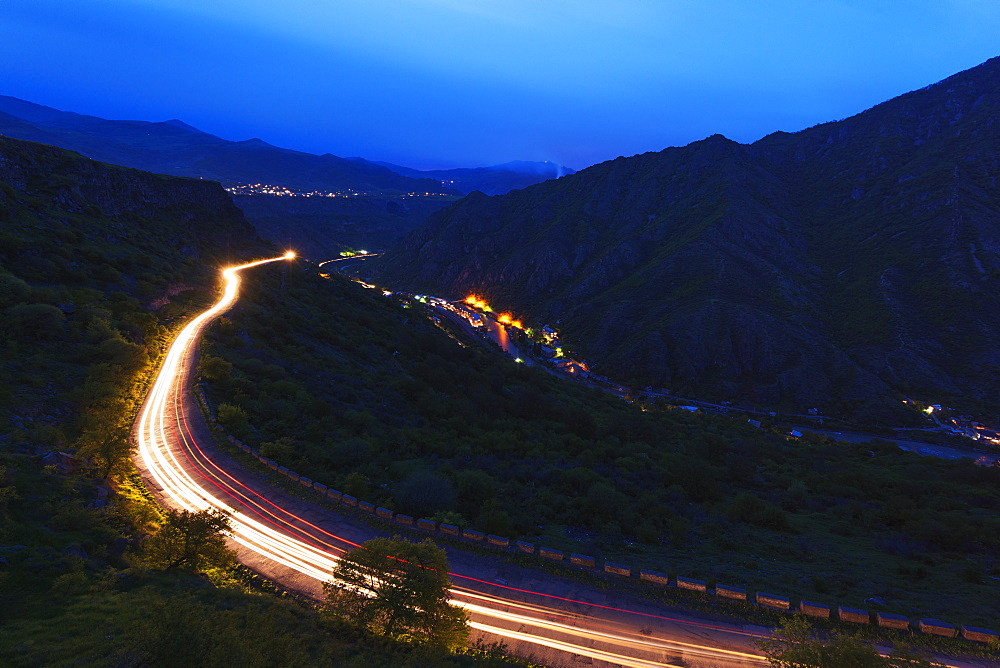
x=98, y=265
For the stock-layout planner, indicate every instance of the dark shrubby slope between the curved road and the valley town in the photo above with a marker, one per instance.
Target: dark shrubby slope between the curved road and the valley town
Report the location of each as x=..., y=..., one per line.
x=349, y=388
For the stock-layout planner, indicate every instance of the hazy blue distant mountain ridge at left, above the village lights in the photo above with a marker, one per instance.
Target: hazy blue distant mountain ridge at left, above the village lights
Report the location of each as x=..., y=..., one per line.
x=175, y=148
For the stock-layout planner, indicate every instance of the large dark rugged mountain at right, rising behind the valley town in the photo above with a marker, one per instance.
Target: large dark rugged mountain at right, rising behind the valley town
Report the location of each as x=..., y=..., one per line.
x=841, y=267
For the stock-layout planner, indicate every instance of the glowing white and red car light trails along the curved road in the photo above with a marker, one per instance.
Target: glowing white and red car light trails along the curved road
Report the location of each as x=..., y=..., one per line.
x=188, y=478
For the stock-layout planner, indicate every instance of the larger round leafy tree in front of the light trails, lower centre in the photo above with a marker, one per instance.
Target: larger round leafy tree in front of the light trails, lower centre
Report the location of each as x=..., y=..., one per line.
x=395, y=587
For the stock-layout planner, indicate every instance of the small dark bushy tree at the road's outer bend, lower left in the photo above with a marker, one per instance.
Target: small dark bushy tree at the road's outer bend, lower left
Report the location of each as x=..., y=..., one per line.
x=191, y=541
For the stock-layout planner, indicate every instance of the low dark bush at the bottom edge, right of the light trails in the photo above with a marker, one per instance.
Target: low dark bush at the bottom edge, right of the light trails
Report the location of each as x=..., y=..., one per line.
x=796, y=645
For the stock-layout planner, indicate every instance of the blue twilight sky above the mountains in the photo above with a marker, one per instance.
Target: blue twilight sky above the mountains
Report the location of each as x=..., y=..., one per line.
x=444, y=83
